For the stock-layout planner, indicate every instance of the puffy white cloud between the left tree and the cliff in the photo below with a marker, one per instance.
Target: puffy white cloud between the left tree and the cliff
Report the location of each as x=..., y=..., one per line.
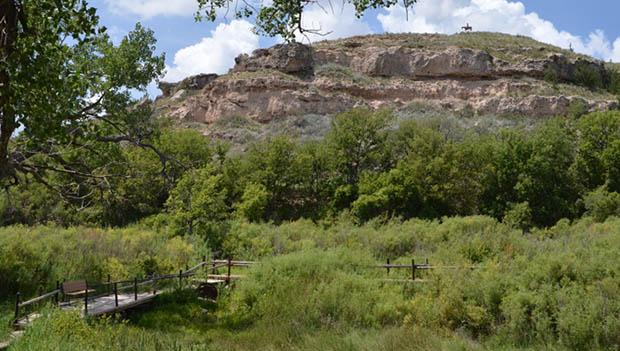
x=216, y=53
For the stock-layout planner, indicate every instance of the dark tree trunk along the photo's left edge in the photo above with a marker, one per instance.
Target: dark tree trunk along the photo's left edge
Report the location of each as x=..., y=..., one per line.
x=8, y=36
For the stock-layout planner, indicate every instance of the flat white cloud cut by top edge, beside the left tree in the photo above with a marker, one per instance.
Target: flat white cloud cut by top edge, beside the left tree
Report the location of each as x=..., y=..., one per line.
x=151, y=8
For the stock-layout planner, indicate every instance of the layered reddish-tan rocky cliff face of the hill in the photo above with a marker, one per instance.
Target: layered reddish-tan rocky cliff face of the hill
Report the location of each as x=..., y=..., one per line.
x=484, y=73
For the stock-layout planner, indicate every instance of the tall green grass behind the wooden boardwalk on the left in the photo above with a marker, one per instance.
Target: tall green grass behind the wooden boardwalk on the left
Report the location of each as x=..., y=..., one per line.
x=32, y=259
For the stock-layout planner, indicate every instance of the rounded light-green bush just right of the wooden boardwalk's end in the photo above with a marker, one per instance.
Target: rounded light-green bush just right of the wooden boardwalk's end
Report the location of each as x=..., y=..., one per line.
x=314, y=290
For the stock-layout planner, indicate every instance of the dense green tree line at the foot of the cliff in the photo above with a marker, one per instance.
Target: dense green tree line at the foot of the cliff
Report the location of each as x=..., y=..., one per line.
x=364, y=166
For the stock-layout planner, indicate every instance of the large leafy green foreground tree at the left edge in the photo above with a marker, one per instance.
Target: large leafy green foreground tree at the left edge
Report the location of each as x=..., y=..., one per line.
x=67, y=92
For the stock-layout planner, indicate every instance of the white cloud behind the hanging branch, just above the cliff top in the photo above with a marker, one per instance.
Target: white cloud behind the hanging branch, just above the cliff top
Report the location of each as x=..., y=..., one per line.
x=333, y=20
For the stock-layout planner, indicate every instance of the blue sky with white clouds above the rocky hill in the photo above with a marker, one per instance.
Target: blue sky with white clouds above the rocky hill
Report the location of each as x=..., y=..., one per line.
x=591, y=27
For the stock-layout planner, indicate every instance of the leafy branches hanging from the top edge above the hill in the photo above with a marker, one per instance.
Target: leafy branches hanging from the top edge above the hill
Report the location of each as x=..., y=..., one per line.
x=285, y=17
